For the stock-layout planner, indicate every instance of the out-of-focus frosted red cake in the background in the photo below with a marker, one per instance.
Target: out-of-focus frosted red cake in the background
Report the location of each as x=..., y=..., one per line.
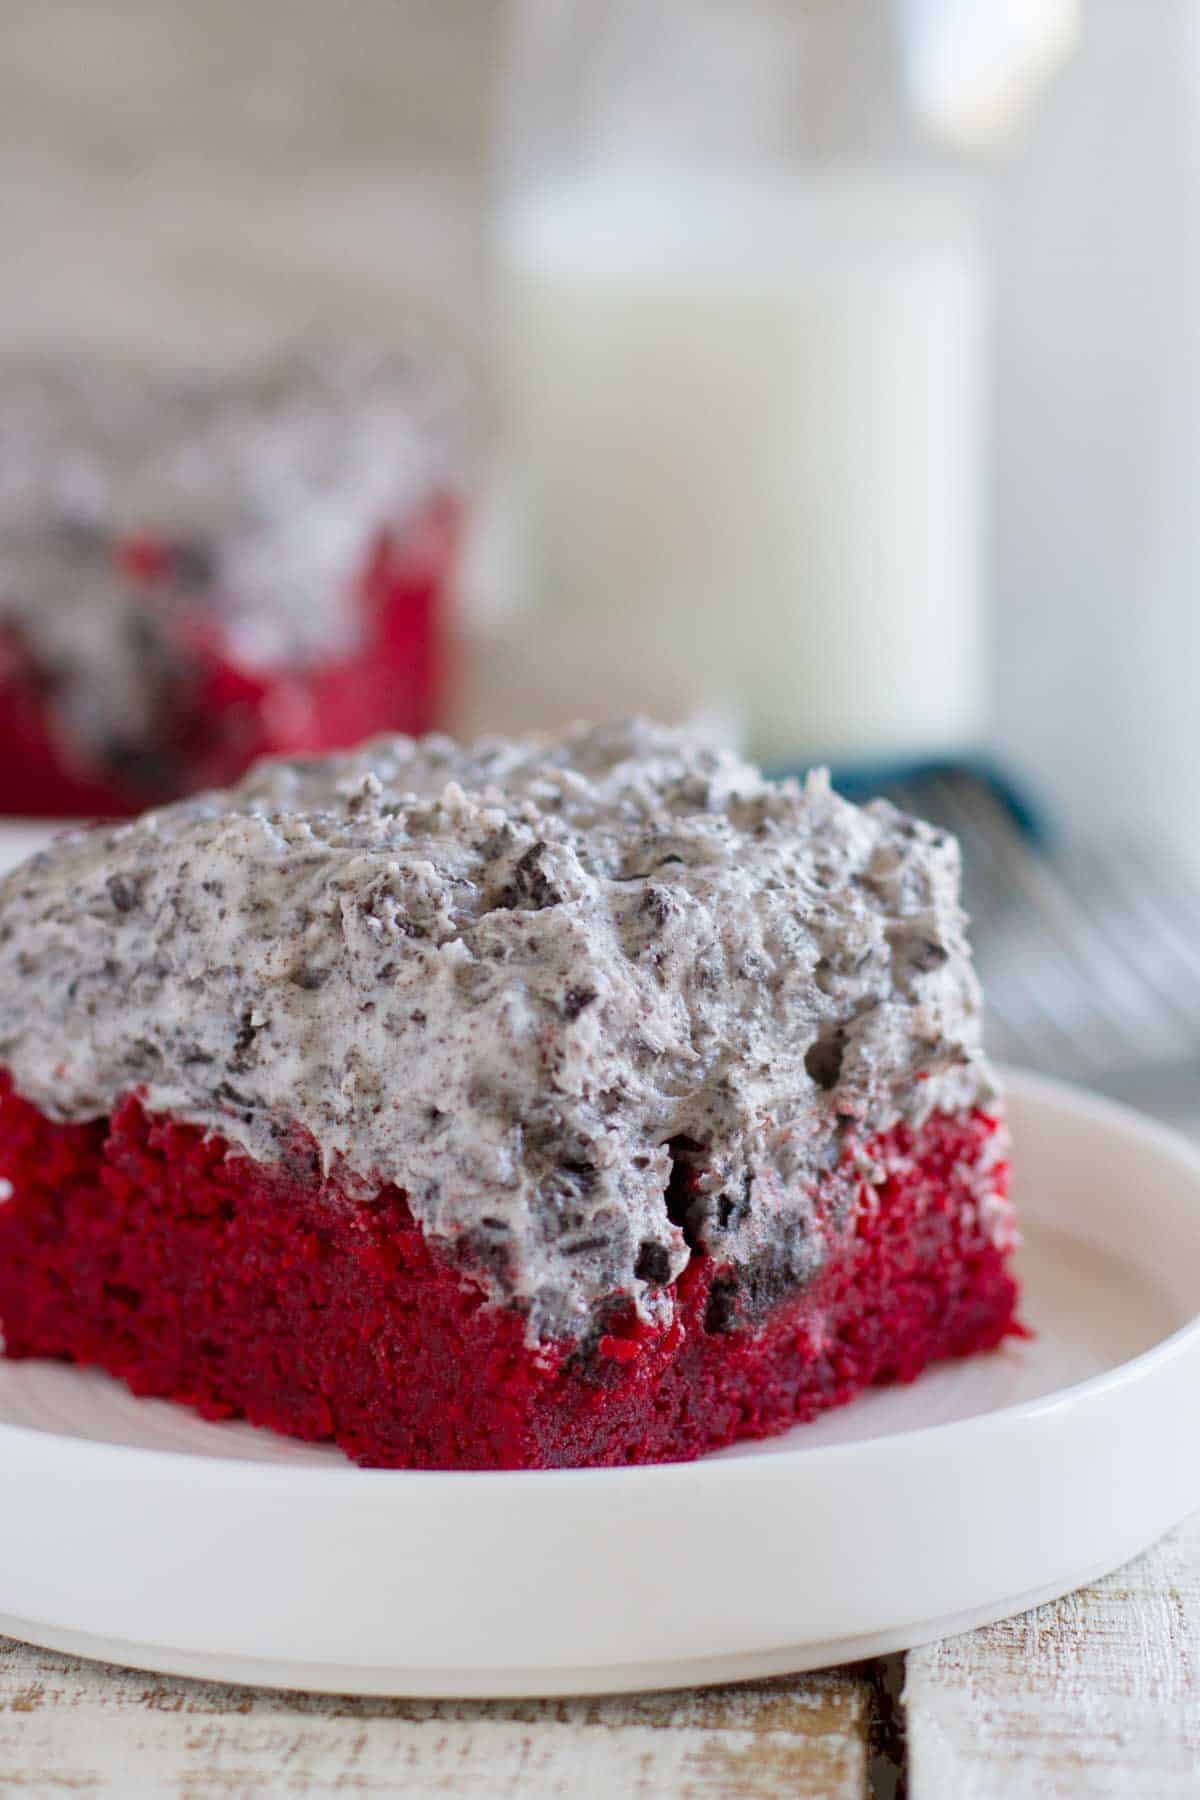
x=202, y=570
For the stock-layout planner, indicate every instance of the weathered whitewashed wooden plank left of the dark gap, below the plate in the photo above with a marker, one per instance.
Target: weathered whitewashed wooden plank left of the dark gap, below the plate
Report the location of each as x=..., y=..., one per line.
x=75, y=1727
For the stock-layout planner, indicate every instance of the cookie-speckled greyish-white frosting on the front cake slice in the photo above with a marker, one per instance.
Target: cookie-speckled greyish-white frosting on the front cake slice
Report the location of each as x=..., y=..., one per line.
x=607, y=1011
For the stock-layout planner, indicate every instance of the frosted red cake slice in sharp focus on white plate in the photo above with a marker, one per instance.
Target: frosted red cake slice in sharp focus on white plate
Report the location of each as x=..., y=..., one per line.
x=550, y=1102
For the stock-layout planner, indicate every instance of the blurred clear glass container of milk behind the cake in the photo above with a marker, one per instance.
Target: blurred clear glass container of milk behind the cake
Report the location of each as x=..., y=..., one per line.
x=744, y=327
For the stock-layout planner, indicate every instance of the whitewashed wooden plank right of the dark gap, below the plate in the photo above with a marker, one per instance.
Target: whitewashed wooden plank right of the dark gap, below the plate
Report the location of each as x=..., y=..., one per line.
x=1095, y=1695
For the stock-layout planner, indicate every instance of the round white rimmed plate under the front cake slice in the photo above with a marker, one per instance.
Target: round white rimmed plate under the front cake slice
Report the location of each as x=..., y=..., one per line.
x=136, y=1533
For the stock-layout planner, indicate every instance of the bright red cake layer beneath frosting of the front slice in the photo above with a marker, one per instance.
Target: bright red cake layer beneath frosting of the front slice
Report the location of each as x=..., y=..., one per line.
x=145, y=1248
